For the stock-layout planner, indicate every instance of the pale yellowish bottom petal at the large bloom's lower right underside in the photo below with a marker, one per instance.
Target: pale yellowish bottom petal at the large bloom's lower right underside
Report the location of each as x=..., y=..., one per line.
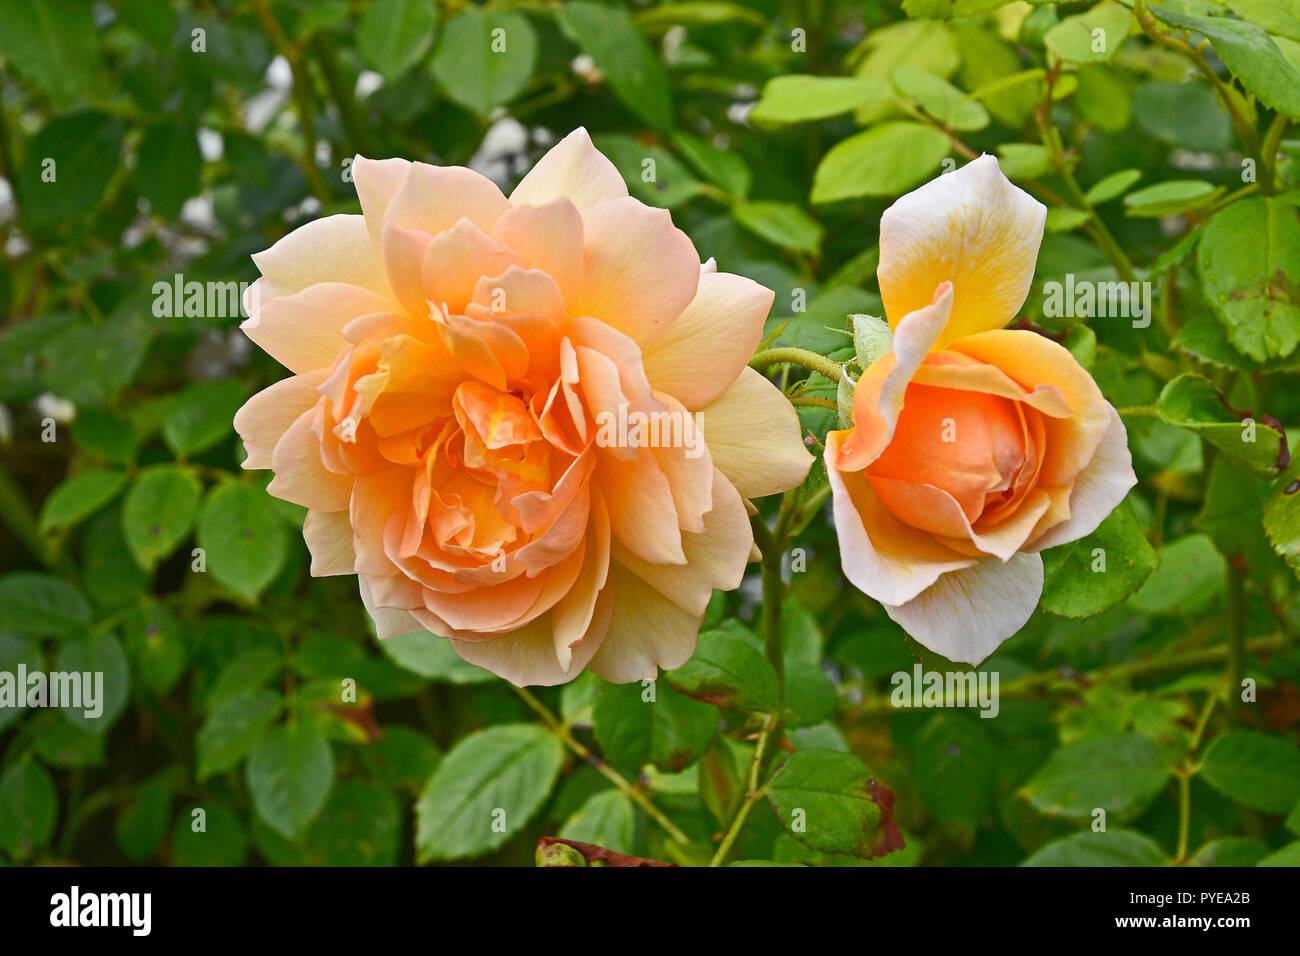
x=647, y=633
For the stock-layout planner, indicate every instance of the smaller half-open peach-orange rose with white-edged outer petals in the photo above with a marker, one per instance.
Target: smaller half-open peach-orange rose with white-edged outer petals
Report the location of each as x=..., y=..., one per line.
x=973, y=447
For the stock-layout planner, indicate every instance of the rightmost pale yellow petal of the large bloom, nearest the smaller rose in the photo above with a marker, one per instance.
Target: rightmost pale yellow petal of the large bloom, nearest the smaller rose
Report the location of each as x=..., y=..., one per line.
x=753, y=435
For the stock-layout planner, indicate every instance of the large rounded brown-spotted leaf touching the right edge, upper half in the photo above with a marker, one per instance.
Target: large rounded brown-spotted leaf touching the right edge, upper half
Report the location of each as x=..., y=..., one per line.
x=1249, y=261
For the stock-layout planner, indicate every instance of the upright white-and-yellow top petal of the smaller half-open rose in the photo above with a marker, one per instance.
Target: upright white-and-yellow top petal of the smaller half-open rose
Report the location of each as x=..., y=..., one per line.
x=972, y=227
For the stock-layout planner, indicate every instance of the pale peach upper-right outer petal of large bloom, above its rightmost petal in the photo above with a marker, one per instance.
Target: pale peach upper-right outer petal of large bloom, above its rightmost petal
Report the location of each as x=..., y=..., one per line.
x=705, y=349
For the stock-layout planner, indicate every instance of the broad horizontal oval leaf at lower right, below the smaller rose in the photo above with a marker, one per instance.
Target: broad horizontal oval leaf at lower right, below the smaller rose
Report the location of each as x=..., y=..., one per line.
x=1119, y=773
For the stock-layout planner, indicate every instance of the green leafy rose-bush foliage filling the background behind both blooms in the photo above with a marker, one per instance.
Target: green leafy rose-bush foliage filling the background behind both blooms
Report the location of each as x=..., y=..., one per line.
x=1164, y=159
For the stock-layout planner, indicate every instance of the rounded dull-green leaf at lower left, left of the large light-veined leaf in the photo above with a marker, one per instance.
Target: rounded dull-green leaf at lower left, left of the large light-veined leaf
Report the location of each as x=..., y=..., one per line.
x=291, y=772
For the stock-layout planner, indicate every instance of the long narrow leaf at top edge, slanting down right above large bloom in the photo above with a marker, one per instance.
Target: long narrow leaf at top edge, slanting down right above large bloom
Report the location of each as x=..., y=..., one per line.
x=634, y=70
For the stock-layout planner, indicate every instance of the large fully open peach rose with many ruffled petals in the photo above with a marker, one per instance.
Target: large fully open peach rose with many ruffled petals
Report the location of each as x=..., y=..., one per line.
x=454, y=354
